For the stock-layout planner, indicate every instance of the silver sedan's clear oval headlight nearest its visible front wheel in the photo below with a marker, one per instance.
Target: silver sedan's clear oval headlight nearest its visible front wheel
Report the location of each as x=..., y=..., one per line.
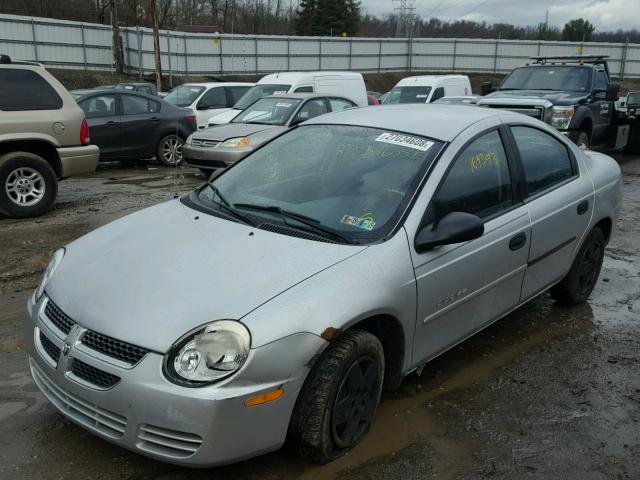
x=210, y=354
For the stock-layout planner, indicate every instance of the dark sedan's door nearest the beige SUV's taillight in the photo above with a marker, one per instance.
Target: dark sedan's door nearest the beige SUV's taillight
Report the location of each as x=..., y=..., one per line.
x=103, y=117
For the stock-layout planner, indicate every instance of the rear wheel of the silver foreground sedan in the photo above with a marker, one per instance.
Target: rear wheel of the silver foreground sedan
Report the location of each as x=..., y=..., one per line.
x=578, y=284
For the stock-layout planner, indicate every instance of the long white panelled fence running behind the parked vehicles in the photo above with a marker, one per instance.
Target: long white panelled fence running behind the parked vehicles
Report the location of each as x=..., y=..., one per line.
x=65, y=44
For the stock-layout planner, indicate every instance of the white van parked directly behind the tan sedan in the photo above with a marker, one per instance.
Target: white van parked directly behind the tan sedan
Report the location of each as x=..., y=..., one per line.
x=346, y=84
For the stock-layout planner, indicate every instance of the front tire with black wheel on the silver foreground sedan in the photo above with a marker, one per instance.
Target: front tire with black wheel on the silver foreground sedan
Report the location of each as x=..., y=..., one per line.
x=338, y=400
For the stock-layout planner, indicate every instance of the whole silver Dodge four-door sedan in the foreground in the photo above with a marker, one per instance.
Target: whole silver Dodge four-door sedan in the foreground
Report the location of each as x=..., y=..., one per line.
x=325, y=266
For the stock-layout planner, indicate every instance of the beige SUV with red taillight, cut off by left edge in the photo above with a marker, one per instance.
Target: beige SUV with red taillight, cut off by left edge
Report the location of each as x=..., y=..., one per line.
x=44, y=137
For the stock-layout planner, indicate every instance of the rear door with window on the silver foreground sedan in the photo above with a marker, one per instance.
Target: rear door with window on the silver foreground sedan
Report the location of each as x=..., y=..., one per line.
x=559, y=198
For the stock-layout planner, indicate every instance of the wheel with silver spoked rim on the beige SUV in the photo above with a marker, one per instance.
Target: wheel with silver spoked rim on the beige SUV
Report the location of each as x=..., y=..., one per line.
x=28, y=185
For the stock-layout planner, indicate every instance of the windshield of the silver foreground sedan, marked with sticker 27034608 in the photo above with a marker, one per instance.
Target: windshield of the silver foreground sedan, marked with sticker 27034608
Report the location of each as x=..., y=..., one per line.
x=352, y=181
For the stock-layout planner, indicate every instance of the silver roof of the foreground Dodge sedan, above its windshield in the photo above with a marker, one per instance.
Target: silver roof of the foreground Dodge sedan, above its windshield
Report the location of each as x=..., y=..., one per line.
x=441, y=122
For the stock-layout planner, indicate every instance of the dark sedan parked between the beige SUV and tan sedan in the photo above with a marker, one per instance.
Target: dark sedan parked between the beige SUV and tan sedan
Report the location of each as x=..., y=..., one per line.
x=129, y=125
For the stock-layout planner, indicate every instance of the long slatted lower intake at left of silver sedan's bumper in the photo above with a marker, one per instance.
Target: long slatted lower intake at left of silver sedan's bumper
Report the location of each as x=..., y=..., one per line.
x=89, y=415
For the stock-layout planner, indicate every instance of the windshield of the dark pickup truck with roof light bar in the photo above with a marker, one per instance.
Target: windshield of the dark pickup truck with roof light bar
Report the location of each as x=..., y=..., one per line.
x=551, y=77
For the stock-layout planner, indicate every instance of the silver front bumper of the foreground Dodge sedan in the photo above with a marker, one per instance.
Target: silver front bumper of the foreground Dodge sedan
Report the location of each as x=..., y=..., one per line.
x=146, y=413
